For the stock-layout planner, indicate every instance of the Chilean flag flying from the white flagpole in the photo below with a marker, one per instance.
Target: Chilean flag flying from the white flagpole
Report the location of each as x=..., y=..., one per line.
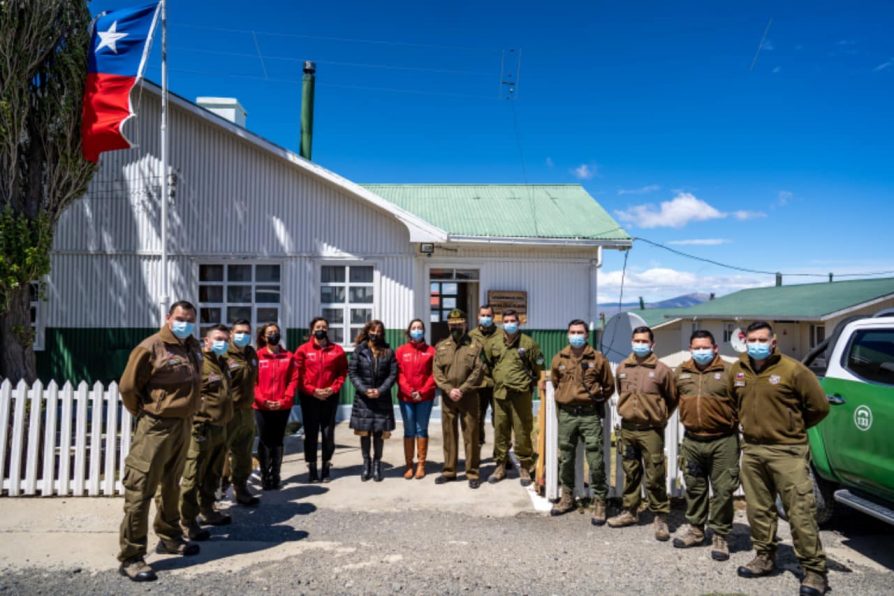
x=118, y=51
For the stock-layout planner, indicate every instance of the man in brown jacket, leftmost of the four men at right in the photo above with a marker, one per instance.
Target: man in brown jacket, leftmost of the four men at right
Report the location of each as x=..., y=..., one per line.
x=583, y=380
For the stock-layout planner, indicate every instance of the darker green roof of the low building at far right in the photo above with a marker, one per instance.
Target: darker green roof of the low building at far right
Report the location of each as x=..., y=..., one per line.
x=797, y=302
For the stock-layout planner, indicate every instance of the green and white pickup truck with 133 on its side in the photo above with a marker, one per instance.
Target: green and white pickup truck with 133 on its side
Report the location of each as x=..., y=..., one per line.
x=852, y=449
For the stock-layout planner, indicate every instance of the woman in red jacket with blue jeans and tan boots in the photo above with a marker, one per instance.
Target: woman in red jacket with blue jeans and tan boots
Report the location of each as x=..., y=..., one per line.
x=416, y=392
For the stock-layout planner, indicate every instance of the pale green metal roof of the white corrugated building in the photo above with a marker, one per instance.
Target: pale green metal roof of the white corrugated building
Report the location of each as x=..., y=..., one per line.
x=560, y=211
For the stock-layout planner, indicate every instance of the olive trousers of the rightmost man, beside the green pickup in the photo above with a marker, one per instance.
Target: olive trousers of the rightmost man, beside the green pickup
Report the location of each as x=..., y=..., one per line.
x=770, y=470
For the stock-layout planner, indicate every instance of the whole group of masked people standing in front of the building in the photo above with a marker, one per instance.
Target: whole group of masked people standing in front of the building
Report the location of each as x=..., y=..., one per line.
x=192, y=403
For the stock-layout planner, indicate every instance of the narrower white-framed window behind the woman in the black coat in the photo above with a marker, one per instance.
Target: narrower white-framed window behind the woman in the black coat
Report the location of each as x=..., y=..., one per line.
x=347, y=293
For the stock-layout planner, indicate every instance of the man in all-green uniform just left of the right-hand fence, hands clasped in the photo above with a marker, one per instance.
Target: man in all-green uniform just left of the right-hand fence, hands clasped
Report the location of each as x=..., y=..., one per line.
x=515, y=362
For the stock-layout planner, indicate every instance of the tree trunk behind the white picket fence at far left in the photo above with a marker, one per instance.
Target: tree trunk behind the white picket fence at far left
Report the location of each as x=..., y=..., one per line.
x=17, y=338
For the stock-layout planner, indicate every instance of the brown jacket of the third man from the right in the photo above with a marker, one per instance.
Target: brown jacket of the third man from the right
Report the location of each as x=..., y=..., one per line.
x=647, y=392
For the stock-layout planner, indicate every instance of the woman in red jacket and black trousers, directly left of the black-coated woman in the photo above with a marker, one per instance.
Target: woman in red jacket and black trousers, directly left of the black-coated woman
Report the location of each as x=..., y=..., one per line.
x=322, y=366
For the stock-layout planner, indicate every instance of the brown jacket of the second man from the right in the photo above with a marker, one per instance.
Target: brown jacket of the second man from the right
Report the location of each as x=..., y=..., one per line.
x=706, y=407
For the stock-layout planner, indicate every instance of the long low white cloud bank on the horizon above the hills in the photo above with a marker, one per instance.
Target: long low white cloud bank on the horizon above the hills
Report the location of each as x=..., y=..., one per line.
x=661, y=283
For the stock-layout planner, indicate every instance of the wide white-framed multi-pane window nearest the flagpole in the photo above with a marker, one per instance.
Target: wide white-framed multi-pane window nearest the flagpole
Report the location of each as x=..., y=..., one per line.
x=230, y=292
